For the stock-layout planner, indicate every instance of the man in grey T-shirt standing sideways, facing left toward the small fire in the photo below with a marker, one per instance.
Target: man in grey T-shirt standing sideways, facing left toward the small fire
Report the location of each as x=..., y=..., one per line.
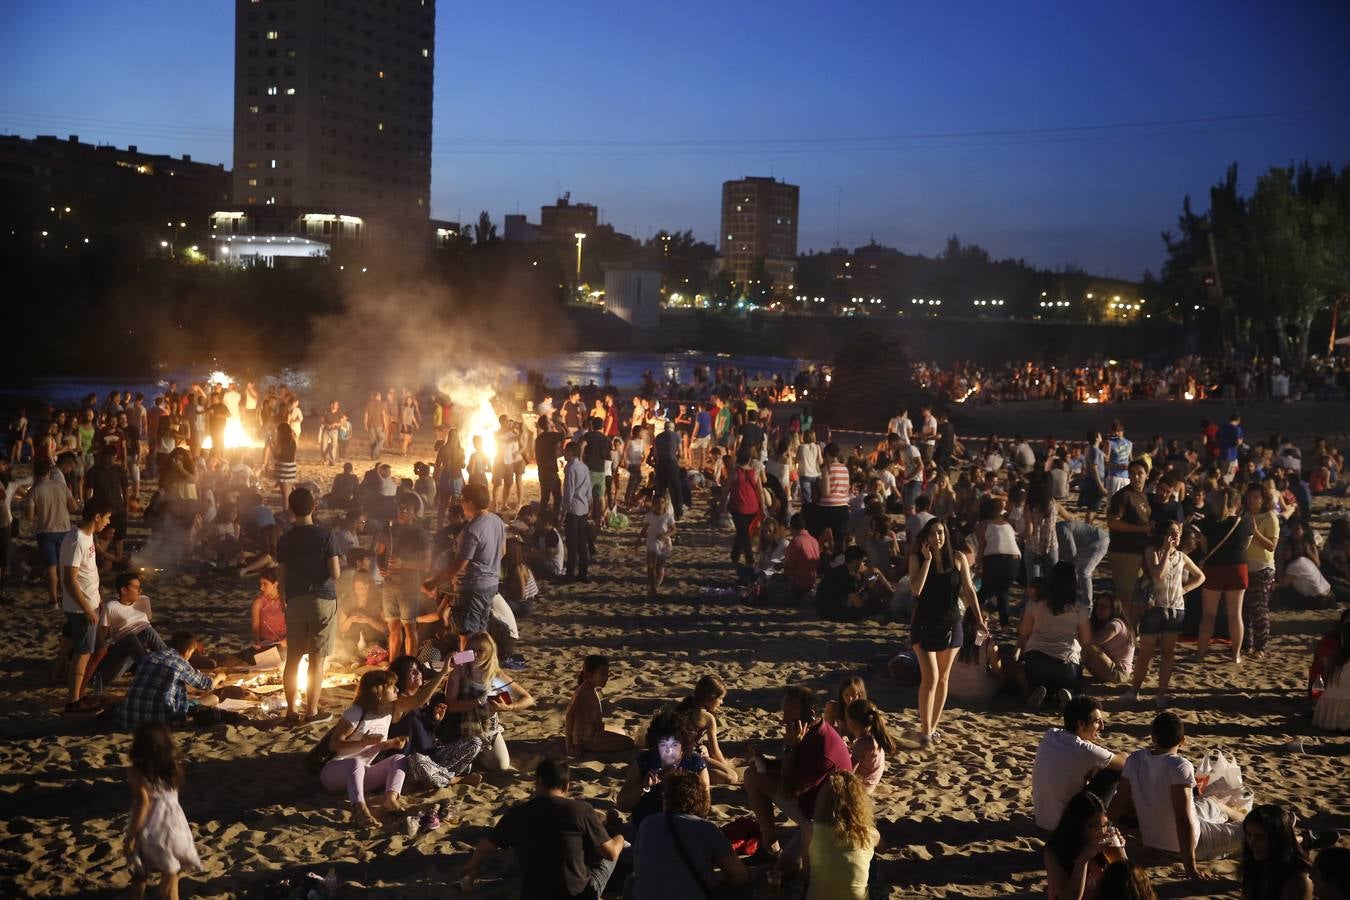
x=477, y=563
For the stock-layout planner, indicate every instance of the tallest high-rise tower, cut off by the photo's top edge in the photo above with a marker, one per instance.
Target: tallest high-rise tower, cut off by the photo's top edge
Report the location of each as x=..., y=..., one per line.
x=333, y=110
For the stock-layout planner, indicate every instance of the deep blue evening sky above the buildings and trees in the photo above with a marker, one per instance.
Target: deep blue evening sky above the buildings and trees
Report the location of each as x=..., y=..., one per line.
x=159, y=74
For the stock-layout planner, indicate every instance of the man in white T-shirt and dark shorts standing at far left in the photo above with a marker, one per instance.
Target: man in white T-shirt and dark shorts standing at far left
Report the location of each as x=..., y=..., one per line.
x=80, y=598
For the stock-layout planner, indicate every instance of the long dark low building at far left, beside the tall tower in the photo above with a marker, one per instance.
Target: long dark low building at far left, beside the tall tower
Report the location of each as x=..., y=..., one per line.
x=83, y=190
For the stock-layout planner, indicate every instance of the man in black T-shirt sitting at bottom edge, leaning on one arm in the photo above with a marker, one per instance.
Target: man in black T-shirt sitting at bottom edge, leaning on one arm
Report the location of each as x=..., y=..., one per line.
x=572, y=853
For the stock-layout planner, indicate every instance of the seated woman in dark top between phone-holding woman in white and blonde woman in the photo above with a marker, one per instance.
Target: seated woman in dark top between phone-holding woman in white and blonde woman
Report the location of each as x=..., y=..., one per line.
x=431, y=762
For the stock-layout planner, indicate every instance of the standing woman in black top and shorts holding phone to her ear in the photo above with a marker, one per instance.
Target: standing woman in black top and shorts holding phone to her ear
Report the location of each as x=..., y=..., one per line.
x=940, y=578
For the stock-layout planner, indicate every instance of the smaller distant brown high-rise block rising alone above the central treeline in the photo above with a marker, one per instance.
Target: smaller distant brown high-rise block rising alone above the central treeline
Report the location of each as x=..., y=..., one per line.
x=759, y=229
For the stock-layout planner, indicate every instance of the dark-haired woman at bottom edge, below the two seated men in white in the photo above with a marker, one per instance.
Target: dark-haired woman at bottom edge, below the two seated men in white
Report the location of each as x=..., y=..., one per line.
x=1077, y=851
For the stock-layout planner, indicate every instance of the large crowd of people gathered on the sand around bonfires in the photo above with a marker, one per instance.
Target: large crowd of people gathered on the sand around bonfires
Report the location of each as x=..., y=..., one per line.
x=425, y=584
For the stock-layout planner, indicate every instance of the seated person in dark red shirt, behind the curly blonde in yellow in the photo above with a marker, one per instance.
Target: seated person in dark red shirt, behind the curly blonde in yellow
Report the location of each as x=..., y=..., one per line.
x=812, y=752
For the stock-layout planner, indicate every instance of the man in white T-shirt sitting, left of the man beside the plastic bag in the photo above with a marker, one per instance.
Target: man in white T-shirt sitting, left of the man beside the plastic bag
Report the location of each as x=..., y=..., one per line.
x=1070, y=762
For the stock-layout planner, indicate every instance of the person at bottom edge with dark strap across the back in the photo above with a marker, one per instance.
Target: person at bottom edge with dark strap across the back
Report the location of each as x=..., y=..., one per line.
x=682, y=855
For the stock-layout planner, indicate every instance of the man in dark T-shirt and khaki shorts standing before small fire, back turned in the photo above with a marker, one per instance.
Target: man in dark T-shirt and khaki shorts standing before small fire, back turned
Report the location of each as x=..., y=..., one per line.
x=310, y=559
